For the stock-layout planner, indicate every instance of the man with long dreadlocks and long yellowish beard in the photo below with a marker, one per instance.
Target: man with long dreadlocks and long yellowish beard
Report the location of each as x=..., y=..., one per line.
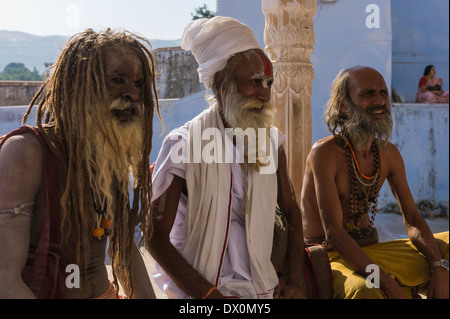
x=66, y=184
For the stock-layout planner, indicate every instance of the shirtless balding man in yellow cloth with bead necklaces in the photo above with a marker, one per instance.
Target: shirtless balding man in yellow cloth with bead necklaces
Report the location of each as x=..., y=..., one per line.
x=344, y=173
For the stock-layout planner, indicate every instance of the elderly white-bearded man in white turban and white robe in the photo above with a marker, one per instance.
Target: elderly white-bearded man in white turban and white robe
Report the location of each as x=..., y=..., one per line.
x=218, y=178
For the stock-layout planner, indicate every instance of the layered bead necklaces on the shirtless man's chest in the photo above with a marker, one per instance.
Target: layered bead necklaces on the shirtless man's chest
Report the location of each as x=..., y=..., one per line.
x=363, y=195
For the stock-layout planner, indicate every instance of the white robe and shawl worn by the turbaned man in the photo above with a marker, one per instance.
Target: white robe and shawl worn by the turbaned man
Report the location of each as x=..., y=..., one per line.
x=222, y=257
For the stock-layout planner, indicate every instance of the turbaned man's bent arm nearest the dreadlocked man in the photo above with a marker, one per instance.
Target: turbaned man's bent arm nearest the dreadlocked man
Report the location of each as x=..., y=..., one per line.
x=162, y=250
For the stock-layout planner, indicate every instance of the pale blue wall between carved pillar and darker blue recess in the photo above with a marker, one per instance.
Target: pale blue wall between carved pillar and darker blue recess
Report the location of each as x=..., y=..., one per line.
x=344, y=40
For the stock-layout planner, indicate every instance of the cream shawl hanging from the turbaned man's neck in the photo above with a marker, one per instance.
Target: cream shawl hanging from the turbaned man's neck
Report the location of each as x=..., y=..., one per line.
x=209, y=209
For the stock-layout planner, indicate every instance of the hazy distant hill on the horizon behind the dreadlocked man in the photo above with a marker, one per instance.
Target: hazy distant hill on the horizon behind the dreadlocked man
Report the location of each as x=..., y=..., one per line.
x=34, y=51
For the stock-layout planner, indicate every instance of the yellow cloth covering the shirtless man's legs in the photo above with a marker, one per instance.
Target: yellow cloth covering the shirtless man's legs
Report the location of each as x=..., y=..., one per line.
x=398, y=258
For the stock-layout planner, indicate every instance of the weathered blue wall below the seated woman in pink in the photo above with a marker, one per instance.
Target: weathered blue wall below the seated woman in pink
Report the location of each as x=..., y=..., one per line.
x=421, y=135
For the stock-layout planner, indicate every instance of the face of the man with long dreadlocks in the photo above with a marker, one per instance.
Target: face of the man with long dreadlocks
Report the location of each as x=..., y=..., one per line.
x=124, y=80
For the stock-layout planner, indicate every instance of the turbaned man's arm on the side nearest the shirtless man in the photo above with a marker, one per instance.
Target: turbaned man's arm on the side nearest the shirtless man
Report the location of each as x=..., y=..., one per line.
x=293, y=289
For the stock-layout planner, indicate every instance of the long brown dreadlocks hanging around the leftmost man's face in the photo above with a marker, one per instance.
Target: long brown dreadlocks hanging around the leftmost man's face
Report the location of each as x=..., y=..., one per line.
x=75, y=84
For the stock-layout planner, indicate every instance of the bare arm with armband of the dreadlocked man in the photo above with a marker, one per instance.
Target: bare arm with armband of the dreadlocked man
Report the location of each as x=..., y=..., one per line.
x=21, y=181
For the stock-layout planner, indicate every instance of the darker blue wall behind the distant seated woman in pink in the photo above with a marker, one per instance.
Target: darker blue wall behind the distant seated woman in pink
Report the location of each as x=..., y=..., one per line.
x=420, y=33
